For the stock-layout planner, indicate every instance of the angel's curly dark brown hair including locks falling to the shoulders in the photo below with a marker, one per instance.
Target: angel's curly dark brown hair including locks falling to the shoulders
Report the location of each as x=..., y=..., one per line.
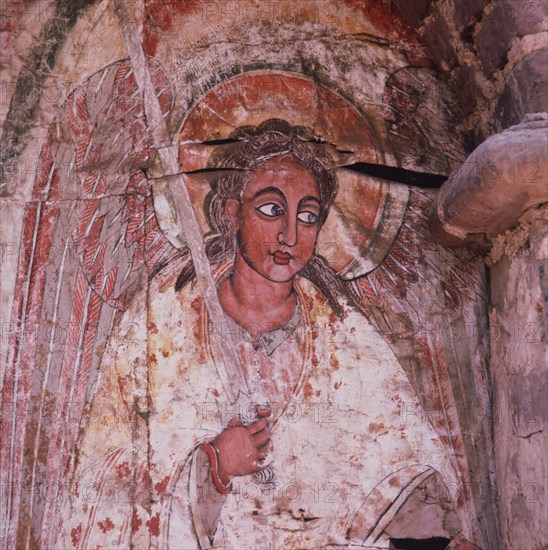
x=249, y=147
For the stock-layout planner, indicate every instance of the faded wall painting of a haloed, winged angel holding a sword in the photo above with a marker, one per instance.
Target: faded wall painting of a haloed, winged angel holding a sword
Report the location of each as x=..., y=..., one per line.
x=343, y=423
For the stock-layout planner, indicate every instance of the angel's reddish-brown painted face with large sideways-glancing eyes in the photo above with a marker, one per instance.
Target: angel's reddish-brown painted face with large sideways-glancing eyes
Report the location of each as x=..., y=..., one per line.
x=277, y=218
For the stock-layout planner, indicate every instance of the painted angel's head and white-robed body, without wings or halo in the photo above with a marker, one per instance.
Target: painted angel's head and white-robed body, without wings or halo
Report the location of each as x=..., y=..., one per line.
x=168, y=460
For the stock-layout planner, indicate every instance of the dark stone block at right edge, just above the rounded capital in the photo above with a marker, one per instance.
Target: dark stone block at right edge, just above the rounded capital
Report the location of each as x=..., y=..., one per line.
x=525, y=90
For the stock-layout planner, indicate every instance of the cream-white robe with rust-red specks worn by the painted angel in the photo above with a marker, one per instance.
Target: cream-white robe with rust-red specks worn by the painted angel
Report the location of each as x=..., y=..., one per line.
x=349, y=440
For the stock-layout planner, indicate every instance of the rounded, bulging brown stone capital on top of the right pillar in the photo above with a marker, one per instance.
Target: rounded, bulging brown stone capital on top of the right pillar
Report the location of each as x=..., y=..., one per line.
x=501, y=179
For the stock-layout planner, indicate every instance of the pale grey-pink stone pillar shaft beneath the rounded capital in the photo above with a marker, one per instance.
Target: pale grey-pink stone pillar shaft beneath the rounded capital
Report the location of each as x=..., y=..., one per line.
x=519, y=382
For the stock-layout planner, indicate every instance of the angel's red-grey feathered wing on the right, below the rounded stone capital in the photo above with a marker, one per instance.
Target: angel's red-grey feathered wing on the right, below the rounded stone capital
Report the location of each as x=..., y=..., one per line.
x=430, y=304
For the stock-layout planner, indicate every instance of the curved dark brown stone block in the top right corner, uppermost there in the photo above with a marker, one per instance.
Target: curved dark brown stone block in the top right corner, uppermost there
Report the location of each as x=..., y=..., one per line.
x=507, y=20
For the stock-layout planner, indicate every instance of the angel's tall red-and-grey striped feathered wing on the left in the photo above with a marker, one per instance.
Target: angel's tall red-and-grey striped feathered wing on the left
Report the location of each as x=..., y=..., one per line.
x=89, y=240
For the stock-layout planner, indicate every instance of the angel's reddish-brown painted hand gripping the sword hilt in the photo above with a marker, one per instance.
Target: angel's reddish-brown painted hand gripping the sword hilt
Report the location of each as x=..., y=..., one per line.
x=243, y=449
